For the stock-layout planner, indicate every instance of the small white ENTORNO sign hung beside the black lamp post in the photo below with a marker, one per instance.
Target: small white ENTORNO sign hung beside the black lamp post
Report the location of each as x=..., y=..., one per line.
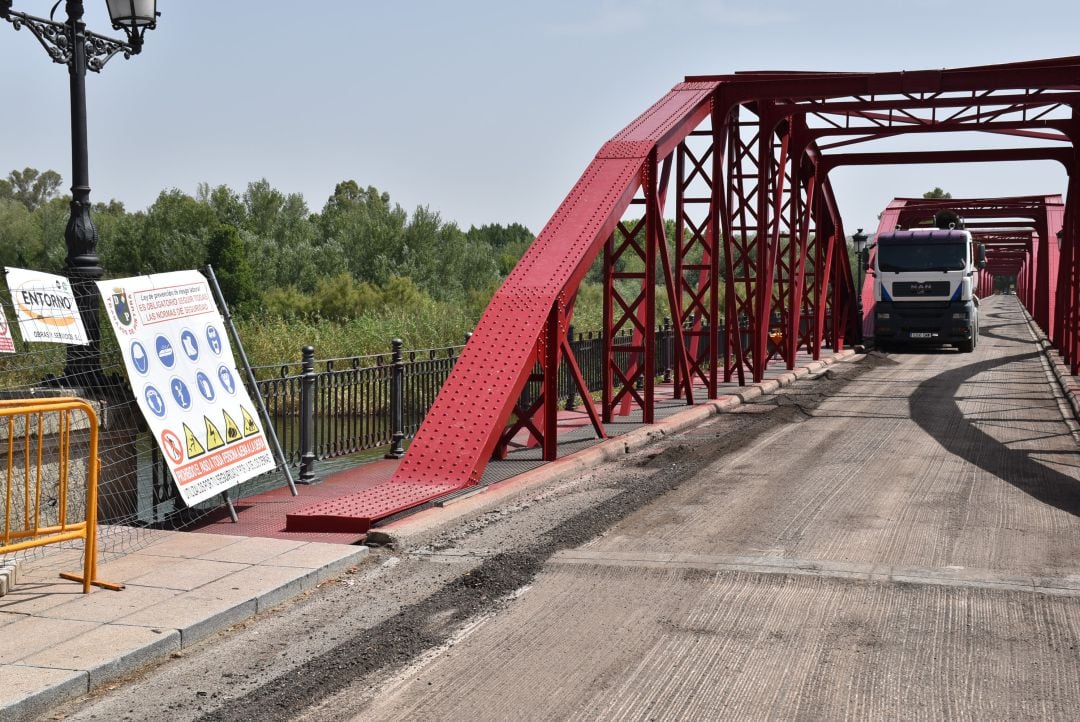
x=46, y=308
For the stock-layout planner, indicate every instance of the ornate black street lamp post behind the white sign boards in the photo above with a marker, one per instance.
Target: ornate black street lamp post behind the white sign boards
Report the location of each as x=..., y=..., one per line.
x=70, y=44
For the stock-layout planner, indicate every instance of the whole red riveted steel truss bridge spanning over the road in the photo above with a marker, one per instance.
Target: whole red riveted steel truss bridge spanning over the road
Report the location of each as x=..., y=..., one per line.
x=742, y=164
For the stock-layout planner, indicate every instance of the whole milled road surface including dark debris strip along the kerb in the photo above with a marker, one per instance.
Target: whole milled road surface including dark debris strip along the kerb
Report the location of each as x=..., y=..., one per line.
x=896, y=539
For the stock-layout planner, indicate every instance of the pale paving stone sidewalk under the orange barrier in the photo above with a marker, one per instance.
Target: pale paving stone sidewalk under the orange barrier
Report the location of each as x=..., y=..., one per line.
x=58, y=644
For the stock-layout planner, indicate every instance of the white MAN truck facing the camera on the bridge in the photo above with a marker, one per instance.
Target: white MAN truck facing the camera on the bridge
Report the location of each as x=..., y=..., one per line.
x=924, y=289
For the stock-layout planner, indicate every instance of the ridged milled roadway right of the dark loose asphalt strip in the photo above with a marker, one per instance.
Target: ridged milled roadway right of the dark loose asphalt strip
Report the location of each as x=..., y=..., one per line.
x=911, y=550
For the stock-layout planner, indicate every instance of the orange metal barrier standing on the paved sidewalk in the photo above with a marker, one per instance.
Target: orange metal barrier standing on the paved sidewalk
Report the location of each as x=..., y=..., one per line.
x=37, y=483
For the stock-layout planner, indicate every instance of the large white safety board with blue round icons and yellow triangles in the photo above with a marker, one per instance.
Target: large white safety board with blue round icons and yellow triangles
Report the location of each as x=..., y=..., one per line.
x=180, y=362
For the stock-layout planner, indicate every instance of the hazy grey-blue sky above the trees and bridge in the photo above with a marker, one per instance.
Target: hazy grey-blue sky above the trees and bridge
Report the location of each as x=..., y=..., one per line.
x=488, y=112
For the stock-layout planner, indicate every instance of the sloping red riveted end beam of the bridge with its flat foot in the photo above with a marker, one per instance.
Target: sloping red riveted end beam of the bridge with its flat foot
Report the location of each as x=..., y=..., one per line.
x=458, y=435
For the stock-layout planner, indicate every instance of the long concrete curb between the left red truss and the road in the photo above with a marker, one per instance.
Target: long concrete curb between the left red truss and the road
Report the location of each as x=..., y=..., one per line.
x=610, y=451
